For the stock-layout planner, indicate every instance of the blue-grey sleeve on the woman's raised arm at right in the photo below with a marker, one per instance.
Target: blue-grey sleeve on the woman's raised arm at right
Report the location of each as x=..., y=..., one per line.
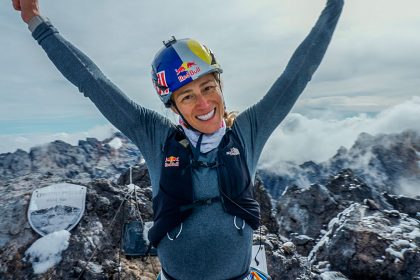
x=258, y=122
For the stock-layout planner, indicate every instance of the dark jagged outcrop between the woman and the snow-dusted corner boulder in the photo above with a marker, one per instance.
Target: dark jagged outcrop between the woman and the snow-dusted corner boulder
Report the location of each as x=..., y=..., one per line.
x=307, y=211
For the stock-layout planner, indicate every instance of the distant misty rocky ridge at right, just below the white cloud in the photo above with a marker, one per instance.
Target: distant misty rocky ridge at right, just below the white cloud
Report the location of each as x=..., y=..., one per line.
x=381, y=161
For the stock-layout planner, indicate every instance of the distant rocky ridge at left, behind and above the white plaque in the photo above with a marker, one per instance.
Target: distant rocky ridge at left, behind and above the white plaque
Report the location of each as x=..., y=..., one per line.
x=91, y=159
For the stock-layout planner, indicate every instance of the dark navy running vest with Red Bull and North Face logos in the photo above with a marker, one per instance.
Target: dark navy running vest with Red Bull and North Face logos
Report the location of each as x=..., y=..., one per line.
x=175, y=200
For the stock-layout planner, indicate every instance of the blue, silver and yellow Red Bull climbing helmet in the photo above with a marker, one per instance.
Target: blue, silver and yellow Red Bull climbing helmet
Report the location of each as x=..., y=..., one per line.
x=178, y=63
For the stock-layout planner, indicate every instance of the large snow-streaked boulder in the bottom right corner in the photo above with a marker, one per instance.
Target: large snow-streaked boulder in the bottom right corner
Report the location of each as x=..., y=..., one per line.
x=364, y=244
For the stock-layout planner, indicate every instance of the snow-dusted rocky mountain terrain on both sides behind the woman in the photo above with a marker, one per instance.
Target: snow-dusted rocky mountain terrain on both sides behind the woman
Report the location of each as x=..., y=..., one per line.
x=344, y=226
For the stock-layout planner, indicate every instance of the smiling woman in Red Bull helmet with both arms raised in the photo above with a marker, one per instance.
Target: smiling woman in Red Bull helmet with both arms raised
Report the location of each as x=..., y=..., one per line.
x=201, y=171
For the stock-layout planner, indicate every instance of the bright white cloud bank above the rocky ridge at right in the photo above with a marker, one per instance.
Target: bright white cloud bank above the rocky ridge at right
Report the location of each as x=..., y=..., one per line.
x=301, y=139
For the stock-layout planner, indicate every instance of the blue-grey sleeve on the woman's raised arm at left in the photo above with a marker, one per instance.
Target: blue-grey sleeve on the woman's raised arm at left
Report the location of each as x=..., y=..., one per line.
x=143, y=126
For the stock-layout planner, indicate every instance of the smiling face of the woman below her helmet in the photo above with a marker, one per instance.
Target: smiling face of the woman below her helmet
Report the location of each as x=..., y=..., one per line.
x=201, y=104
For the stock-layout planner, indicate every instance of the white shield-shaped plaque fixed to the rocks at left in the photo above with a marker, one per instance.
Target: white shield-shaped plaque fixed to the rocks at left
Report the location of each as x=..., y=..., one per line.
x=56, y=207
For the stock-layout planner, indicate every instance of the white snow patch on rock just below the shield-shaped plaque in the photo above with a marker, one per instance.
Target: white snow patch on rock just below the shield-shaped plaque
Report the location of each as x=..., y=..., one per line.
x=46, y=251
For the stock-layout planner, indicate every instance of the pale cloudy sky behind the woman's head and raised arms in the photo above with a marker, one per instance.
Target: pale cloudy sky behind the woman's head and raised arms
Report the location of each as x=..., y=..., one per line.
x=370, y=71
